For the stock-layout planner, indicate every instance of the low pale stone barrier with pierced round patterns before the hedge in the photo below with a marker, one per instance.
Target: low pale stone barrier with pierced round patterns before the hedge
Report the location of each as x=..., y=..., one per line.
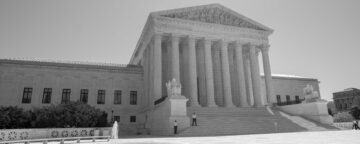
x=43, y=133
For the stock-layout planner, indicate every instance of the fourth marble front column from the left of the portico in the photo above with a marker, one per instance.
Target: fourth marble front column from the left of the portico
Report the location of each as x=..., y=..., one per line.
x=209, y=74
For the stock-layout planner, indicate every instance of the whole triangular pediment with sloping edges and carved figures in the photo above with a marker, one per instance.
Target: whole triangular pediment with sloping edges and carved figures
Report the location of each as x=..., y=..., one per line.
x=213, y=13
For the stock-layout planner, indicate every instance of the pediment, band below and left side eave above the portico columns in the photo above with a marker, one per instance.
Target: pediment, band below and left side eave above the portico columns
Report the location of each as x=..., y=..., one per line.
x=212, y=21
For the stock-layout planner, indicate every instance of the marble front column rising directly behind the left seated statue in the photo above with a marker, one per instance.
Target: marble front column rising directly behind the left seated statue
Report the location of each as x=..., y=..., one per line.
x=175, y=65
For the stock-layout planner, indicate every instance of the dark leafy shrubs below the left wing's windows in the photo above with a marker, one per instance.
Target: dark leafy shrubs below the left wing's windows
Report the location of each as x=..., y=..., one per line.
x=73, y=114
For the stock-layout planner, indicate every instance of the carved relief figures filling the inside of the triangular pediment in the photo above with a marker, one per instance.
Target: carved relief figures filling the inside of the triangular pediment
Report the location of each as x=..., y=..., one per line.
x=213, y=15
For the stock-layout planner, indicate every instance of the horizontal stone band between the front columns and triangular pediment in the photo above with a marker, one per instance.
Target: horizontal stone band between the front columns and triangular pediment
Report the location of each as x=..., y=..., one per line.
x=188, y=27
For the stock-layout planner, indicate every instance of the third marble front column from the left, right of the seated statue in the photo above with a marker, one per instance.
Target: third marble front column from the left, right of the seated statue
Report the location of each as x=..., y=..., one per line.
x=193, y=87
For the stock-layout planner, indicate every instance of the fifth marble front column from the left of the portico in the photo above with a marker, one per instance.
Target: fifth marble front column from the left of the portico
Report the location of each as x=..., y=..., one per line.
x=226, y=75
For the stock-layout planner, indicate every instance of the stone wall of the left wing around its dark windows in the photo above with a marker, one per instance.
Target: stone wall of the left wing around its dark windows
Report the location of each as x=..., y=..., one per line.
x=16, y=75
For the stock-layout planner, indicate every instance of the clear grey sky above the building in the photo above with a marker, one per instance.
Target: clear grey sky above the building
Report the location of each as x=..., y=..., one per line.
x=312, y=38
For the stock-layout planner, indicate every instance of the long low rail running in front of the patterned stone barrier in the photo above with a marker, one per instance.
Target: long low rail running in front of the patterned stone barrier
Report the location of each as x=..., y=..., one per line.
x=55, y=139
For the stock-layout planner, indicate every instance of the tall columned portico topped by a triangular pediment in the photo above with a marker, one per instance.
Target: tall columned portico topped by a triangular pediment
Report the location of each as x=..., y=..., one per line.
x=211, y=50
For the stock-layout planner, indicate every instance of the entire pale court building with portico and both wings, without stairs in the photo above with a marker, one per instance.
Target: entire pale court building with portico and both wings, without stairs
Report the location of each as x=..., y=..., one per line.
x=213, y=51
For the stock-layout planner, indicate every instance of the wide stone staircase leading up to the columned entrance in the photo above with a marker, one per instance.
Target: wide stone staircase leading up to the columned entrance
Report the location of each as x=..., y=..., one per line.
x=235, y=121
